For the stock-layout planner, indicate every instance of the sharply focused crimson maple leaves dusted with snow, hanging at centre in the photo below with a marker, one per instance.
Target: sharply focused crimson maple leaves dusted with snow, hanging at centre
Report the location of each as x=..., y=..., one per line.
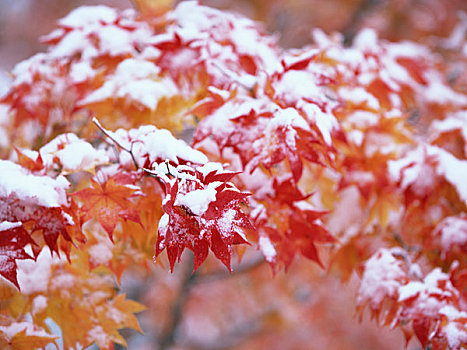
x=202, y=212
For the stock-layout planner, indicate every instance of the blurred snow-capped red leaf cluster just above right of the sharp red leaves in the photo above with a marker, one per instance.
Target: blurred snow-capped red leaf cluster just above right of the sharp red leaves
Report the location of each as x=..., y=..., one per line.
x=260, y=132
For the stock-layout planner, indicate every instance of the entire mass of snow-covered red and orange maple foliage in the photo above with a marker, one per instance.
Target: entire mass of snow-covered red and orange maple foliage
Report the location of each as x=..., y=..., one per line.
x=348, y=151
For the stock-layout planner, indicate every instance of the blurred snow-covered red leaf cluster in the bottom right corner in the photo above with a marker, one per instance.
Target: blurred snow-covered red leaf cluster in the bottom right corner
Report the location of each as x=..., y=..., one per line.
x=397, y=294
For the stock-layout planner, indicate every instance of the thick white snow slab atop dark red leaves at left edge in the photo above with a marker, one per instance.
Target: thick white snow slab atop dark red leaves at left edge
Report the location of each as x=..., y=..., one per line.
x=34, y=189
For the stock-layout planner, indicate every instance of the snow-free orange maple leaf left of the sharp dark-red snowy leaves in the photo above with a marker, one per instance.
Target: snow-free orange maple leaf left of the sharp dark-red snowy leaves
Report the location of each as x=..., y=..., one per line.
x=107, y=203
